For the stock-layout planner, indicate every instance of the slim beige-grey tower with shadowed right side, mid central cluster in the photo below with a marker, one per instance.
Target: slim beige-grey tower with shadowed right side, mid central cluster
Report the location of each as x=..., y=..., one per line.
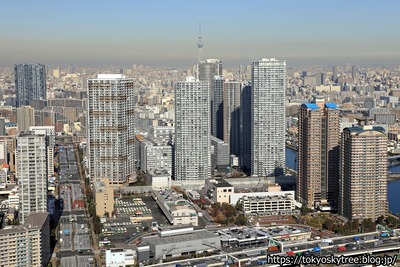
x=231, y=109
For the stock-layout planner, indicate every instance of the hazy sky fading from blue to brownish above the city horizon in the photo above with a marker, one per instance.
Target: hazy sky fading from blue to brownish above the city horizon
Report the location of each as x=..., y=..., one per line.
x=165, y=32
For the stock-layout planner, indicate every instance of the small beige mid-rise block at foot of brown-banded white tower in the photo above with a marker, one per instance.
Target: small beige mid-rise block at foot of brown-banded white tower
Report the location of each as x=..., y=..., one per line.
x=104, y=197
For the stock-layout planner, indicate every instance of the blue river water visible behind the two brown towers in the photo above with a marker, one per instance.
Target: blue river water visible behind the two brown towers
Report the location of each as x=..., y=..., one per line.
x=393, y=186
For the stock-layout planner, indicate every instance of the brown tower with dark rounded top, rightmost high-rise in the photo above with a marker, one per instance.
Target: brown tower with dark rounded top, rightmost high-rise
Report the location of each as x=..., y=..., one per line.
x=363, y=176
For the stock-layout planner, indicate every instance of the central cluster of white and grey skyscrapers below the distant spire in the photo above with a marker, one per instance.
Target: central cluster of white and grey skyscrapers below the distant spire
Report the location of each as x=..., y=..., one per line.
x=250, y=120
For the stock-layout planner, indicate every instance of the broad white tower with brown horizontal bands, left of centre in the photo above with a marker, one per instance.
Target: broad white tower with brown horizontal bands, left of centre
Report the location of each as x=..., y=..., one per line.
x=111, y=116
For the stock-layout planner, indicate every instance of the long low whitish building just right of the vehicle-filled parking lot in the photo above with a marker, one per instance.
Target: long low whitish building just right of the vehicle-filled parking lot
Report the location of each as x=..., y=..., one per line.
x=177, y=209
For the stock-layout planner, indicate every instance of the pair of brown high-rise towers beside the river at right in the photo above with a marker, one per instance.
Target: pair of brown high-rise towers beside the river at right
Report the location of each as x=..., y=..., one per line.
x=347, y=172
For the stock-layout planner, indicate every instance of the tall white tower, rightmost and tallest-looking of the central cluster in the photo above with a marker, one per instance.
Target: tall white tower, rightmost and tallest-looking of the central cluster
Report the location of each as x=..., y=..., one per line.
x=268, y=117
